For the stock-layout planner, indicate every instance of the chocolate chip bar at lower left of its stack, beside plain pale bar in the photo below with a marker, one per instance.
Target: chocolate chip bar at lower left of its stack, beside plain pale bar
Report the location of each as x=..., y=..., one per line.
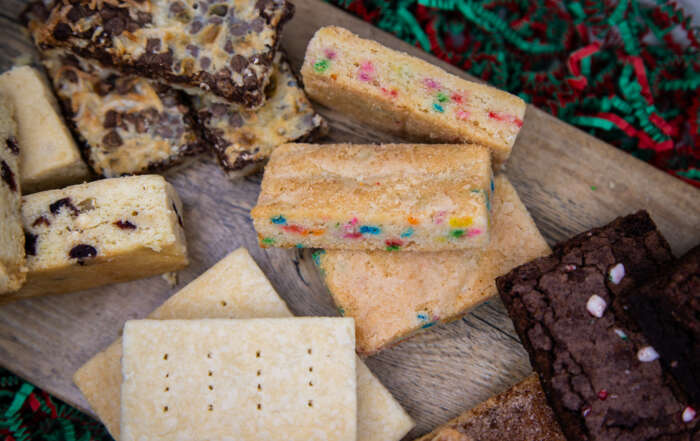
x=128, y=125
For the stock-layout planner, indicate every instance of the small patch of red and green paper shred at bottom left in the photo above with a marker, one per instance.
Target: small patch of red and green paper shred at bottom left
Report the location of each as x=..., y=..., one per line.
x=27, y=413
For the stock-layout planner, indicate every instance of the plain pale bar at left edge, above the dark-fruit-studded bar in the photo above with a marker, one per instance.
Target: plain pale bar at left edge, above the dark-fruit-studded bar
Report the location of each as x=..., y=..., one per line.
x=49, y=156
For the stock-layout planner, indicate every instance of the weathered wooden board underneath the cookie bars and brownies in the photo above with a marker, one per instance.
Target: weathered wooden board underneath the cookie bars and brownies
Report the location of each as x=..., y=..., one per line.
x=569, y=180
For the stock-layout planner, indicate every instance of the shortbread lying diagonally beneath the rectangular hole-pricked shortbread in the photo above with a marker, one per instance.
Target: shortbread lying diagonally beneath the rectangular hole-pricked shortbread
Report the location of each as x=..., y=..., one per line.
x=234, y=288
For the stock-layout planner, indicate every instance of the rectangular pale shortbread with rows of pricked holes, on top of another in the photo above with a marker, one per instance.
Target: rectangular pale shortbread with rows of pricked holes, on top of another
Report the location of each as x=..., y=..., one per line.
x=290, y=379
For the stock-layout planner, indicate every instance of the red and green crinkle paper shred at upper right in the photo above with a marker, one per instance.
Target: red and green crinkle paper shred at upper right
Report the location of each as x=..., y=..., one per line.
x=626, y=72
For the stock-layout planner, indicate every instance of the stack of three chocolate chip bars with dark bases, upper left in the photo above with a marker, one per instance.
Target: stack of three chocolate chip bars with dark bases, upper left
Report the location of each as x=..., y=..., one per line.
x=146, y=87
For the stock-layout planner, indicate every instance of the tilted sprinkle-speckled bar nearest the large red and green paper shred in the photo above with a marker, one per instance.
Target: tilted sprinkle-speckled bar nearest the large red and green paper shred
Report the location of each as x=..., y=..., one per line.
x=407, y=96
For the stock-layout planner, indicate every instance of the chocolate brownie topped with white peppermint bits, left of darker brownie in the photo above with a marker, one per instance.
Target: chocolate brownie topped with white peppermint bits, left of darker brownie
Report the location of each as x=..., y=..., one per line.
x=601, y=375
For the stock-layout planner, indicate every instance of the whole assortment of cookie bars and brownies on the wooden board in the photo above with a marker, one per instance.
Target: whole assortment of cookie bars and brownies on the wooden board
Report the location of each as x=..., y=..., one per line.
x=407, y=236
